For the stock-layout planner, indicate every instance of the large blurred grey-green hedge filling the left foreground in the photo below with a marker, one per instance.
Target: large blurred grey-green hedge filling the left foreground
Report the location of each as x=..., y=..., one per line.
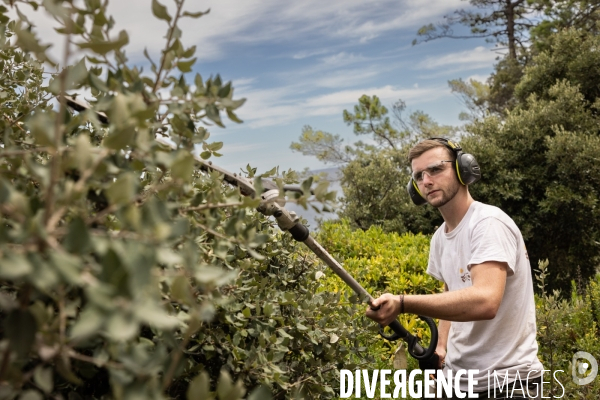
x=127, y=272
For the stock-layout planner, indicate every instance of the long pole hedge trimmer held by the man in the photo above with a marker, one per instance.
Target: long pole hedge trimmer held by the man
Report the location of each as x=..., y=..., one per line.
x=272, y=204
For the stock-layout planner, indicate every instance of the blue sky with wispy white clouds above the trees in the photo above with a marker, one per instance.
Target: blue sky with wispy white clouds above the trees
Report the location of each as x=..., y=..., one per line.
x=304, y=62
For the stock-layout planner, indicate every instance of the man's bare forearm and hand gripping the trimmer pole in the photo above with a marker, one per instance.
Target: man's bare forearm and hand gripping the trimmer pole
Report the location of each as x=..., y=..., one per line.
x=477, y=302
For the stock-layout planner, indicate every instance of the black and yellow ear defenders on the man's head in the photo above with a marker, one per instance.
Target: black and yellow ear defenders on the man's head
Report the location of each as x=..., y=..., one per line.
x=466, y=167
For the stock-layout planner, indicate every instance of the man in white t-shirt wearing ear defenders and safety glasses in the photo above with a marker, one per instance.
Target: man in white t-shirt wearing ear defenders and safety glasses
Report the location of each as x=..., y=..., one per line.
x=487, y=310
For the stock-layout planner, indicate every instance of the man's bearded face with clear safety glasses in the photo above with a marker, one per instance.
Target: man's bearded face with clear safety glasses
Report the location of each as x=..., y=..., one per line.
x=439, y=183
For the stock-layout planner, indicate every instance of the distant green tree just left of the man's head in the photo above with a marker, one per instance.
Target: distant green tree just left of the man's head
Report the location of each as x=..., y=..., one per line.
x=375, y=171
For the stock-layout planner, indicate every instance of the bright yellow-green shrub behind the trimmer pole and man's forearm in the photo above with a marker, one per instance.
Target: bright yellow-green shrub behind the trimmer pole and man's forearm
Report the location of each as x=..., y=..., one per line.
x=381, y=262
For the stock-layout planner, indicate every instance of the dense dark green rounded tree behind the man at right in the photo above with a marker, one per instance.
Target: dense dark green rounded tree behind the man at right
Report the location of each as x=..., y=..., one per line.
x=540, y=162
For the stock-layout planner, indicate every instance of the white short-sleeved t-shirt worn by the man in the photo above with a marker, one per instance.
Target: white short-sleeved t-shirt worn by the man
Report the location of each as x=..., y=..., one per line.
x=507, y=343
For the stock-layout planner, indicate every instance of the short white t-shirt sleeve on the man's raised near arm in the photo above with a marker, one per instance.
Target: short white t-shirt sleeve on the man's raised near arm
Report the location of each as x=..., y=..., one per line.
x=492, y=240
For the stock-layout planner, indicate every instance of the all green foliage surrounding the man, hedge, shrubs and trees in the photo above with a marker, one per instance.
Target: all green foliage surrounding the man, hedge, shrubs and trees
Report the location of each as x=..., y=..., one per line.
x=127, y=272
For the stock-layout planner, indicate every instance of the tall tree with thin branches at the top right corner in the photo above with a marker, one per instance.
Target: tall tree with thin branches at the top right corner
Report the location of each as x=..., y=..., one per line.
x=541, y=20
